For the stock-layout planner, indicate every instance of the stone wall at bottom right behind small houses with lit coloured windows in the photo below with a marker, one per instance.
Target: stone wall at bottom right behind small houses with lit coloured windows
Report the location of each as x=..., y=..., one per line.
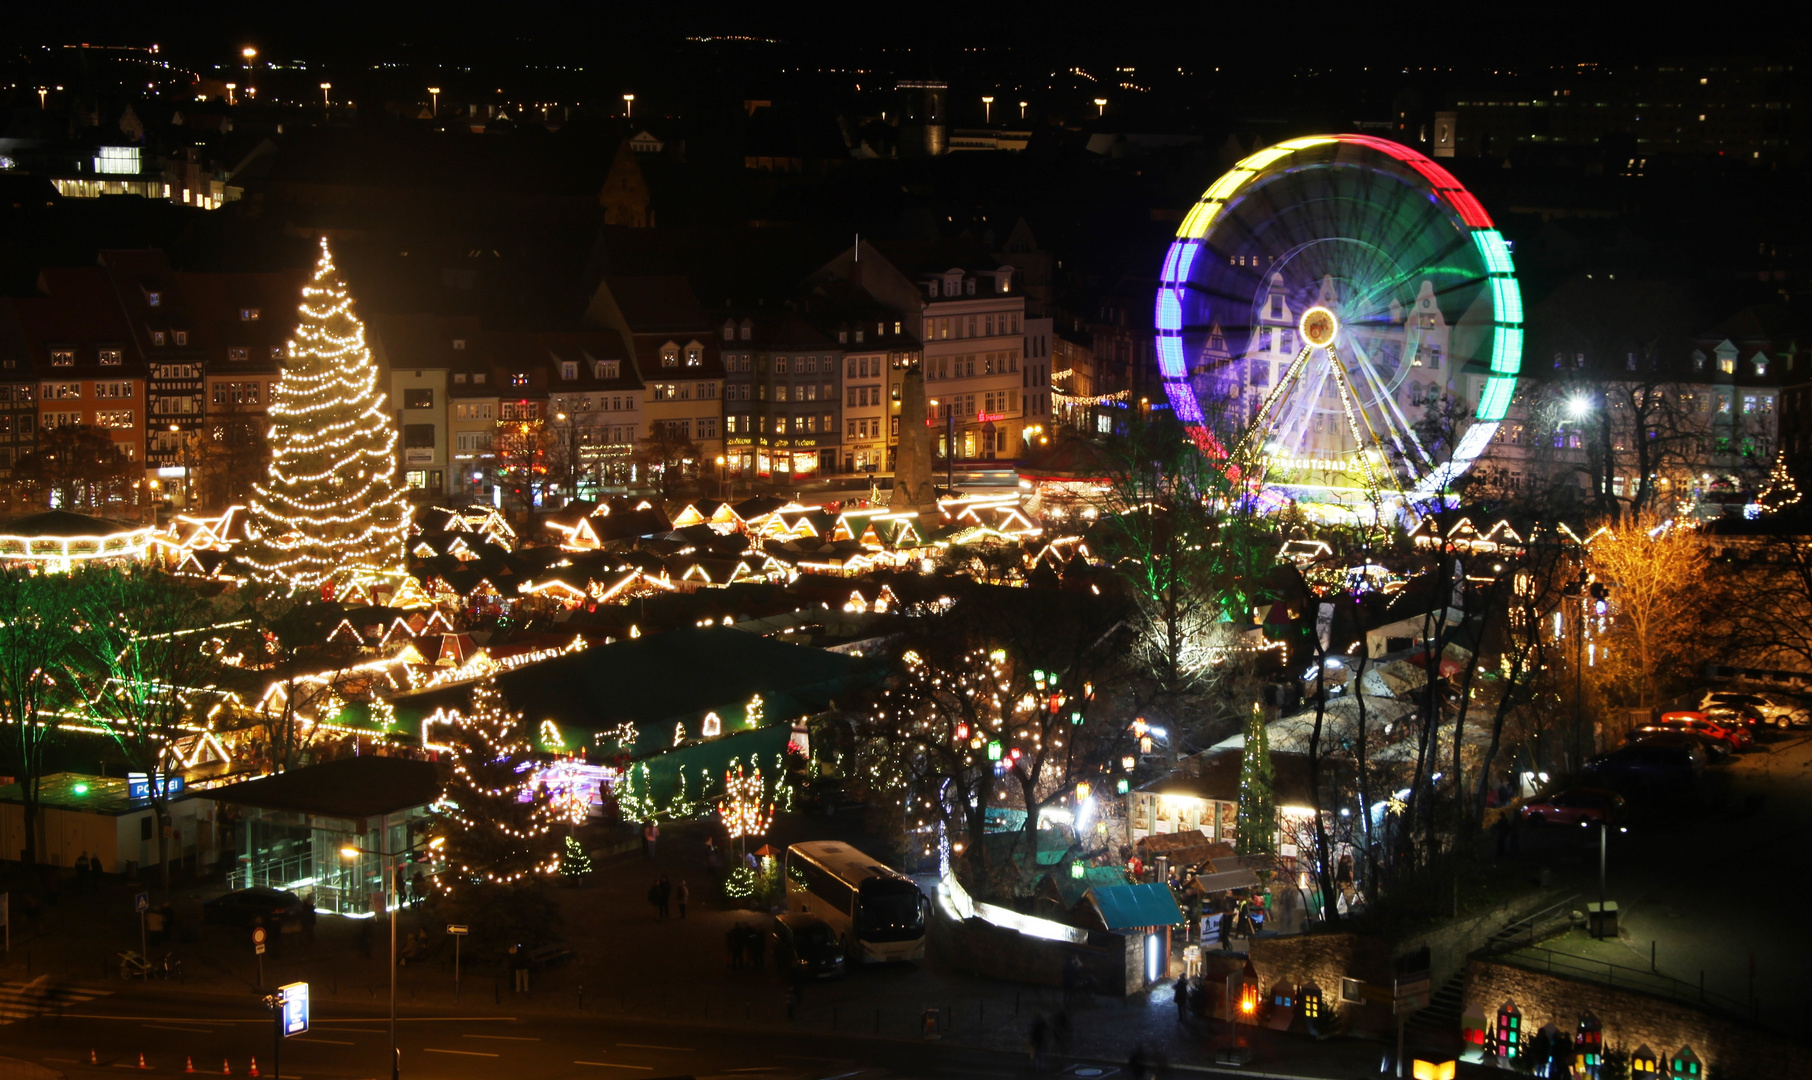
x=1730, y=1050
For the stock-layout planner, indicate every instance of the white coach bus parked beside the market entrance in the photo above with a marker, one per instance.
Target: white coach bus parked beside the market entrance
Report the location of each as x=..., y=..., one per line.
x=878, y=912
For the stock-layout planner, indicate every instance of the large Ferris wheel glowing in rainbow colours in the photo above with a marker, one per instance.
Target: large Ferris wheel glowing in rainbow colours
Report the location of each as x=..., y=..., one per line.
x=1340, y=323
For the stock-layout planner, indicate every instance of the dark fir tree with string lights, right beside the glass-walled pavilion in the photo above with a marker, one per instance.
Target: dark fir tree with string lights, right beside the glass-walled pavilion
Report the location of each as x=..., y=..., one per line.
x=497, y=829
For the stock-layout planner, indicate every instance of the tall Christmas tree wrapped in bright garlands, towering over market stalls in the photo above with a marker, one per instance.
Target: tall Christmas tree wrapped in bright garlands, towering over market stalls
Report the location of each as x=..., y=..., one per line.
x=333, y=510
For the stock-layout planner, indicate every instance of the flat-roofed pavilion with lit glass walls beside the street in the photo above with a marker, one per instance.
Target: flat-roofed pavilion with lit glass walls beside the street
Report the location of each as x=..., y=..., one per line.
x=294, y=825
